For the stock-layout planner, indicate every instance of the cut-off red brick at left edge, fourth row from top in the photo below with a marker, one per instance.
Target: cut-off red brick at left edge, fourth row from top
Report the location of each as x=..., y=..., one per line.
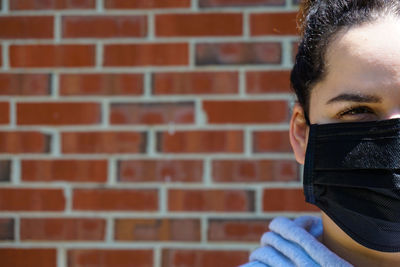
x=24, y=84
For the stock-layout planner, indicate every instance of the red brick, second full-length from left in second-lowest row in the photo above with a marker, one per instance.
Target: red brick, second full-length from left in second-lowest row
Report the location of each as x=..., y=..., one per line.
x=157, y=229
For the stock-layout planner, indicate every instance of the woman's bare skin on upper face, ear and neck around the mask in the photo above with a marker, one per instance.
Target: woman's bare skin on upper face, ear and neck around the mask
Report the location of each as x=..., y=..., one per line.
x=362, y=83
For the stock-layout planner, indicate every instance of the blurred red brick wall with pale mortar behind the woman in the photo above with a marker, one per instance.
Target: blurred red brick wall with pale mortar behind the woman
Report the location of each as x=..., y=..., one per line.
x=144, y=132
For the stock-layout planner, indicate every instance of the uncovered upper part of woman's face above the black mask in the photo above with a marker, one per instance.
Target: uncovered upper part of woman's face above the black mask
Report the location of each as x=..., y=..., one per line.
x=362, y=82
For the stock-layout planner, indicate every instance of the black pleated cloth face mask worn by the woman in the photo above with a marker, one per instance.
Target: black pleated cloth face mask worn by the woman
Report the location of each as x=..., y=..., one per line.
x=352, y=173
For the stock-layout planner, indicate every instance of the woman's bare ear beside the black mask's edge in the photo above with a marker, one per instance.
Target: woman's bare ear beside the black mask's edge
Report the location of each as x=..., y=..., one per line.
x=298, y=133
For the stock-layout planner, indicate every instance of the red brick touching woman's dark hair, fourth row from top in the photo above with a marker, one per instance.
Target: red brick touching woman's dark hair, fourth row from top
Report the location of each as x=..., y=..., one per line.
x=264, y=82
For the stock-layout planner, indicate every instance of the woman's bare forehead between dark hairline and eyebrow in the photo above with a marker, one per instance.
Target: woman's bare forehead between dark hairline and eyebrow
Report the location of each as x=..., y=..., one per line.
x=363, y=58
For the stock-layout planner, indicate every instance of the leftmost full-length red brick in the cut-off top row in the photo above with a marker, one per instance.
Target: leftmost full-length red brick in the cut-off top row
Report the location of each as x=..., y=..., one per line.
x=51, y=4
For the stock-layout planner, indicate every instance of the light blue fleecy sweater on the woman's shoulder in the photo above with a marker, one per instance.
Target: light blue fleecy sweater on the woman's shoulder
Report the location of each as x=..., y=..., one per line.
x=294, y=243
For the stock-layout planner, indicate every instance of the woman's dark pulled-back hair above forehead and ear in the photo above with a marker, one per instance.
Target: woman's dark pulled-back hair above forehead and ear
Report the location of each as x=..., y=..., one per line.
x=318, y=22
